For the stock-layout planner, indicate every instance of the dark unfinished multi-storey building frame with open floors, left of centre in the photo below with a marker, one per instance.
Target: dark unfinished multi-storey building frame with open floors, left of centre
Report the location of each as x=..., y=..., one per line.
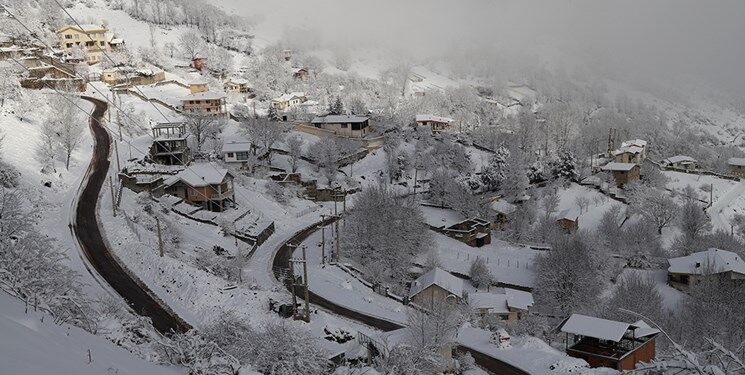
x=170, y=144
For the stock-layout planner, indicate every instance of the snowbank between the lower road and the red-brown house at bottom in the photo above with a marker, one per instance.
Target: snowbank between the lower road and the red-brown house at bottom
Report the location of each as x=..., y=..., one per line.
x=527, y=353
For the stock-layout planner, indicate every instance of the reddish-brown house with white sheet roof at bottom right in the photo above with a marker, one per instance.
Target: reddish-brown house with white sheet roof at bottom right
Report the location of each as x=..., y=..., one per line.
x=608, y=343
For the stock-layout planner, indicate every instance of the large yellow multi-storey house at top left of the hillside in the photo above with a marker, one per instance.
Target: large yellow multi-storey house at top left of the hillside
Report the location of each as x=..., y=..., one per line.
x=93, y=39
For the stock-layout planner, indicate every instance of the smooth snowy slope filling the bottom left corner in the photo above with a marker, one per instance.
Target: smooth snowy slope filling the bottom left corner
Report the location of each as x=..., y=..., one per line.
x=32, y=344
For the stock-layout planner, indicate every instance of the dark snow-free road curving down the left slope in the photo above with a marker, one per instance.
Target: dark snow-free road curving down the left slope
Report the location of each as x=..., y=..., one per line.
x=86, y=230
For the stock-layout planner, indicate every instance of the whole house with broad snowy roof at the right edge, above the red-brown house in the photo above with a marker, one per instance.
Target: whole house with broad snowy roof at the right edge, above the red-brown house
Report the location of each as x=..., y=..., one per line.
x=689, y=270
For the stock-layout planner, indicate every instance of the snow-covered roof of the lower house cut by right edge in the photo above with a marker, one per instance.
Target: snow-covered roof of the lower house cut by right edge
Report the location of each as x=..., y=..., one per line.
x=711, y=260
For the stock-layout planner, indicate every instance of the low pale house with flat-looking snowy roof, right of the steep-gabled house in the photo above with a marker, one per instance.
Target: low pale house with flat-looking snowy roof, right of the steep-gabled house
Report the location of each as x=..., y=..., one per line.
x=502, y=304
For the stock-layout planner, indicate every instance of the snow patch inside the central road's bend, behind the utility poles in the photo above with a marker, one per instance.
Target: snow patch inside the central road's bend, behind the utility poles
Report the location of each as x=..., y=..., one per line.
x=333, y=283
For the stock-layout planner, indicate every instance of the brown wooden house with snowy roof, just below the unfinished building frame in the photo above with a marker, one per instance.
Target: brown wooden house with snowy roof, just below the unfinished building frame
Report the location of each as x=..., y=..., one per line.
x=202, y=184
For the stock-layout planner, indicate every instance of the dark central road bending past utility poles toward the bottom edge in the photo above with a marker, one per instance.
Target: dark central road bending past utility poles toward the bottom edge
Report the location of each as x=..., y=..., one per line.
x=281, y=266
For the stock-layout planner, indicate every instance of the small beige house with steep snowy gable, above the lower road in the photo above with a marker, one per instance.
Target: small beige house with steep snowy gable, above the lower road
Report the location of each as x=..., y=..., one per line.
x=436, y=286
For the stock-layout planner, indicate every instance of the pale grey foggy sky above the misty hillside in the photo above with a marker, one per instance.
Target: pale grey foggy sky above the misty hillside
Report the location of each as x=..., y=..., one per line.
x=672, y=39
